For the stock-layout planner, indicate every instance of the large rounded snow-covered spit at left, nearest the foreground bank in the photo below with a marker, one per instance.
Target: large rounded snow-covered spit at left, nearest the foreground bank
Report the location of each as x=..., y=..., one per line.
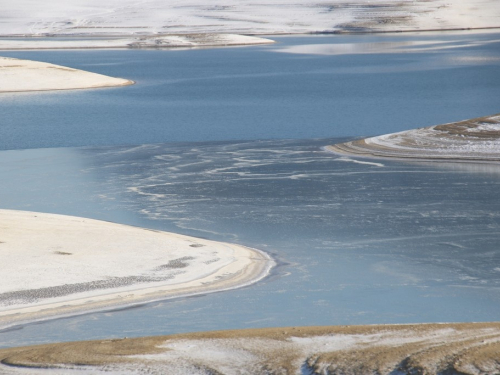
x=54, y=264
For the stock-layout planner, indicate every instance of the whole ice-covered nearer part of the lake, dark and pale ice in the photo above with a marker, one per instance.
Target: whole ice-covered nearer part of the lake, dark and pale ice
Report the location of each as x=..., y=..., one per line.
x=359, y=241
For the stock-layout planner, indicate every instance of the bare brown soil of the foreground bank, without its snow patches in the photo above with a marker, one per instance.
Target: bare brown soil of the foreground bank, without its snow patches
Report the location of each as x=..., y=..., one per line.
x=472, y=348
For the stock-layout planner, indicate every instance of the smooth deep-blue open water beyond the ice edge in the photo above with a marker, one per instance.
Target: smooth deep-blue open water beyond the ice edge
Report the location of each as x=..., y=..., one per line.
x=261, y=92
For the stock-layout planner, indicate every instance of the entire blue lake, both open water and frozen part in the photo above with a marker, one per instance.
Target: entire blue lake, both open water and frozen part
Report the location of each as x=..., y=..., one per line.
x=357, y=242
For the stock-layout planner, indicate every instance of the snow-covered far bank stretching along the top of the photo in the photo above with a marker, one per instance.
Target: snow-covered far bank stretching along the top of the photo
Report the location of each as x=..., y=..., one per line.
x=147, y=17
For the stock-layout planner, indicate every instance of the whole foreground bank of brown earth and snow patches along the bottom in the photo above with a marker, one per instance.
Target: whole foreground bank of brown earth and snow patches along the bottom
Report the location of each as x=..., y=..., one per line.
x=469, y=348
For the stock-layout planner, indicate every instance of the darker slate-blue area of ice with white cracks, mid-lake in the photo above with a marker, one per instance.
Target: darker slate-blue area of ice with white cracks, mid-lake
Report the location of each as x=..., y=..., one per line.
x=278, y=190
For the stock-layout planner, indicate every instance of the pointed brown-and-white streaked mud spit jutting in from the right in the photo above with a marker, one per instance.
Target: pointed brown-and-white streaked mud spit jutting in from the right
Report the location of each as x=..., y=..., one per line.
x=474, y=140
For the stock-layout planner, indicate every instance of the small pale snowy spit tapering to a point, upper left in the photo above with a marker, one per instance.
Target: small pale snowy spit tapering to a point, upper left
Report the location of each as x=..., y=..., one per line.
x=26, y=75
